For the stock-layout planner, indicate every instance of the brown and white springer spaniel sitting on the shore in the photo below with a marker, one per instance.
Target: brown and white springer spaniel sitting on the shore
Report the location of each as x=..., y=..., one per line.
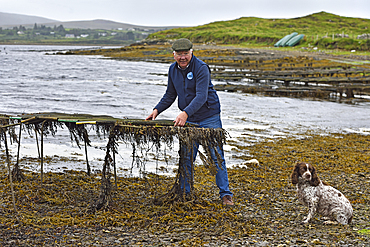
x=319, y=196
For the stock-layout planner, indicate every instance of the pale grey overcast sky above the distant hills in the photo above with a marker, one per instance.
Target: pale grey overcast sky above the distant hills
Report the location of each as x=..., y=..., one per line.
x=180, y=13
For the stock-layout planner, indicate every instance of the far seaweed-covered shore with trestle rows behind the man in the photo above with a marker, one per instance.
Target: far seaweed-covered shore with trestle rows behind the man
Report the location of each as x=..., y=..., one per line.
x=269, y=71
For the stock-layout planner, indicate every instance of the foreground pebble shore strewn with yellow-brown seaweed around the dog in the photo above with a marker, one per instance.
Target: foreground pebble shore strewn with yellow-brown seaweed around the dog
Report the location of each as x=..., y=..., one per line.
x=267, y=212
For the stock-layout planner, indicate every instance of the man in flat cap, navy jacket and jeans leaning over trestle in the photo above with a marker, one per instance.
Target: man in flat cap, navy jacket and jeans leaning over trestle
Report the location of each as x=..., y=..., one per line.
x=189, y=79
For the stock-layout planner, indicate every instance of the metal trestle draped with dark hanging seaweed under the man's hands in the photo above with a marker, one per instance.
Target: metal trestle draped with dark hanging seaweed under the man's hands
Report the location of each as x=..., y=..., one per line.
x=144, y=136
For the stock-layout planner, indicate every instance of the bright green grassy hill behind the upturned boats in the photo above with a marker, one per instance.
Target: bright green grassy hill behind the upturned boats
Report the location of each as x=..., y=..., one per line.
x=320, y=29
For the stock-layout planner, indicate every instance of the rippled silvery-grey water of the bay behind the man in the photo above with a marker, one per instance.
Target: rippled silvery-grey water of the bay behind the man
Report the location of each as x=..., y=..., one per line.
x=31, y=81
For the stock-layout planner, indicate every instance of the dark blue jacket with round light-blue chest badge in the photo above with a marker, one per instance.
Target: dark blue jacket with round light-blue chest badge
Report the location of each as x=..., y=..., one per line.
x=194, y=89
